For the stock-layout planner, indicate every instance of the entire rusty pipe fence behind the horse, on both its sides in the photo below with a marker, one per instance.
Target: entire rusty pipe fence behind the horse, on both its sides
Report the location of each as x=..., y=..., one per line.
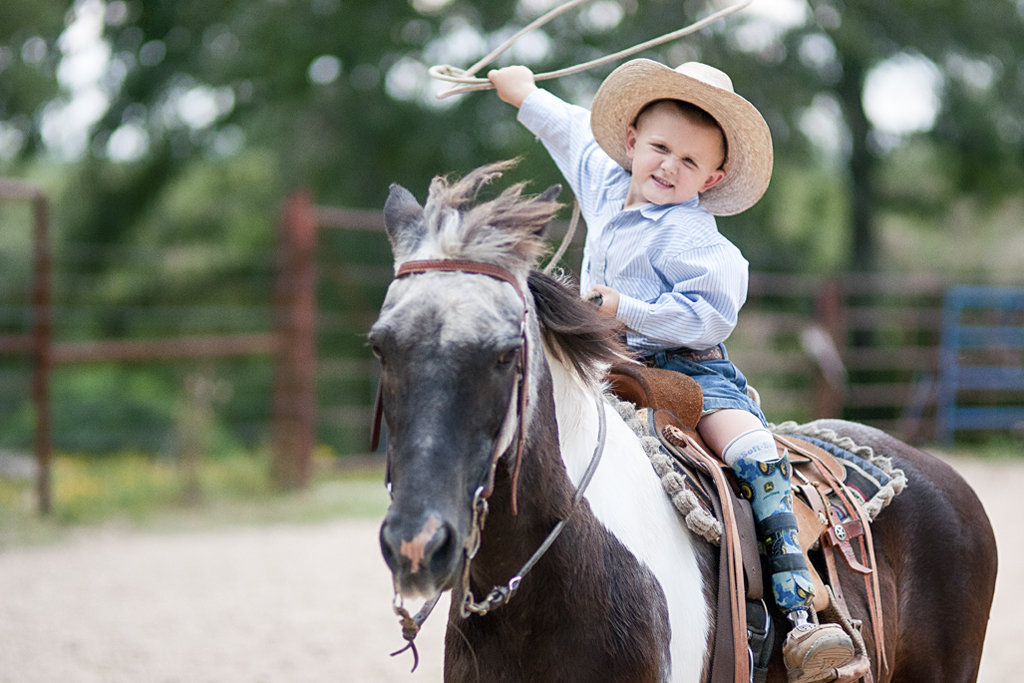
x=298, y=374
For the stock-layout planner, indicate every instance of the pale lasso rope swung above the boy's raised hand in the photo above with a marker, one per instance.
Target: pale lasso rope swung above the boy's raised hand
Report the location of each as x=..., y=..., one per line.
x=467, y=82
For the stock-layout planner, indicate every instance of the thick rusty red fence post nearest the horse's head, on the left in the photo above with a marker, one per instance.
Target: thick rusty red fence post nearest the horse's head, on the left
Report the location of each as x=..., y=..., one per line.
x=295, y=327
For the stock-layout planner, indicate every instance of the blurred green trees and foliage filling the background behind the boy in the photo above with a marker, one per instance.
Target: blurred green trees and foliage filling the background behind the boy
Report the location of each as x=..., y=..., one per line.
x=168, y=133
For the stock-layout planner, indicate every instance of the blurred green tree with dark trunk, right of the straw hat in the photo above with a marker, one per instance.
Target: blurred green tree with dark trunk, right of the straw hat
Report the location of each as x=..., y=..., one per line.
x=963, y=63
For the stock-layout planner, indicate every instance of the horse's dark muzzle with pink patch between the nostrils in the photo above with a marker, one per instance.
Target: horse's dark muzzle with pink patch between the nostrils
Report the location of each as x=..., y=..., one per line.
x=423, y=561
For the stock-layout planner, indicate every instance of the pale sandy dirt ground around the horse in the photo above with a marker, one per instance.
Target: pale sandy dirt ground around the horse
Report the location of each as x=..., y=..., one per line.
x=295, y=605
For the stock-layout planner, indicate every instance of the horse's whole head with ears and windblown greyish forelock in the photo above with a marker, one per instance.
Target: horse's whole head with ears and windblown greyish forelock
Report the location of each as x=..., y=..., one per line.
x=453, y=346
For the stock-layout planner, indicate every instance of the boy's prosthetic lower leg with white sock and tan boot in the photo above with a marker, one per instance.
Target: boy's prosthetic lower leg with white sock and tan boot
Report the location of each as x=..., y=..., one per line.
x=812, y=653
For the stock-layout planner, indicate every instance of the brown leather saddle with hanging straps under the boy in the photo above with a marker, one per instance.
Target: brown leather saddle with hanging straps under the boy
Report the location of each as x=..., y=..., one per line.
x=830, y=515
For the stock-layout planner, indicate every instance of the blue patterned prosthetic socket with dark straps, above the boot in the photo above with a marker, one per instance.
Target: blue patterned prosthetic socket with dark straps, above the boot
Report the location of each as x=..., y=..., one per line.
x=766, y=485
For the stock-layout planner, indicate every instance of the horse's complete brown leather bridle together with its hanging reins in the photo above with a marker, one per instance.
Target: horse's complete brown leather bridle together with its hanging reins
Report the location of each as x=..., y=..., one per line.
x=499, y=595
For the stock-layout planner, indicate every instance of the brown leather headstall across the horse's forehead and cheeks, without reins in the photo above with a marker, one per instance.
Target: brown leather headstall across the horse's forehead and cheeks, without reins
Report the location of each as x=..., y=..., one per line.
x=523, y=364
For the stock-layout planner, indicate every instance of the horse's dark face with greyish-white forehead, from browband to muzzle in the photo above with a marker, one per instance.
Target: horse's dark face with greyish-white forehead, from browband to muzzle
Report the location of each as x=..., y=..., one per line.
x=448, y=345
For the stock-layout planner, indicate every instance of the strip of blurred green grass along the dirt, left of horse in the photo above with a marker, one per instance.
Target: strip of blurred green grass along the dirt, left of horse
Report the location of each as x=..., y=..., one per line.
x=135, y=491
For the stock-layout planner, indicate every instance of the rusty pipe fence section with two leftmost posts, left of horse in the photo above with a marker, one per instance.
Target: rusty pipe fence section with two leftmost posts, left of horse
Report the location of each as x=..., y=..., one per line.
x=260, y=356
